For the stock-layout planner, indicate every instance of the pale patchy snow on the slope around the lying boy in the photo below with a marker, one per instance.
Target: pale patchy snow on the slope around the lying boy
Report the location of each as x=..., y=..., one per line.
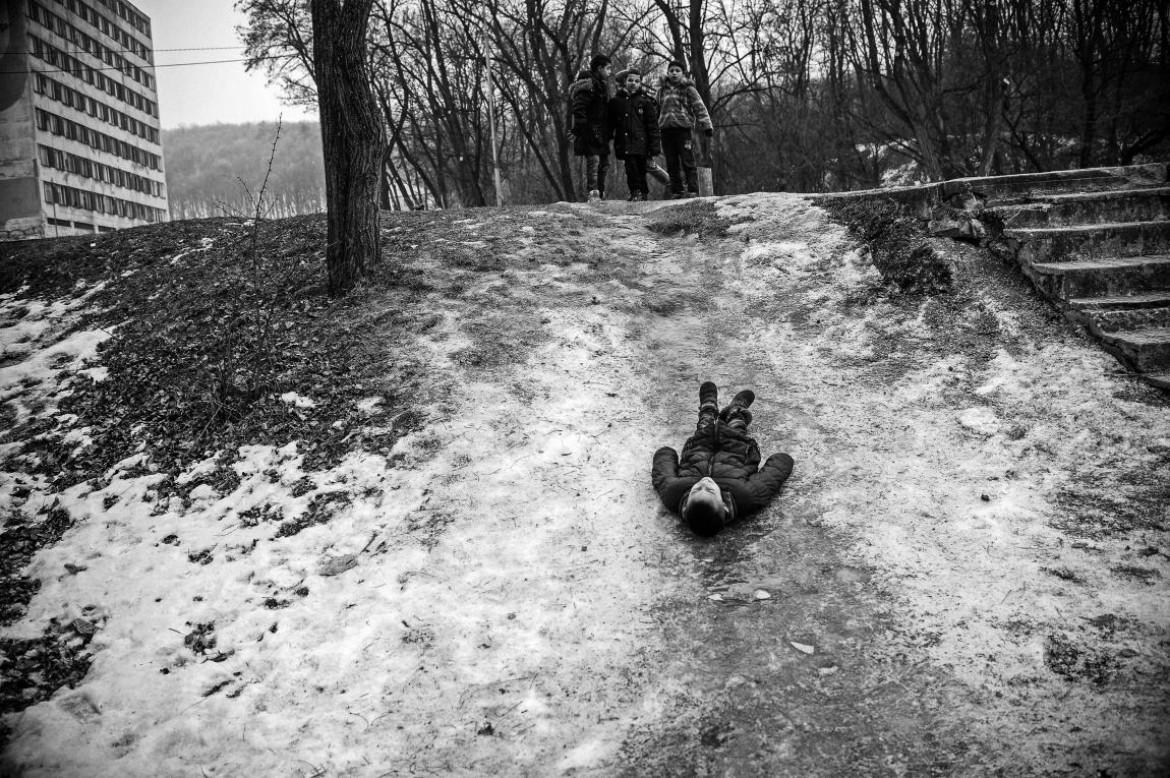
x=481, y=600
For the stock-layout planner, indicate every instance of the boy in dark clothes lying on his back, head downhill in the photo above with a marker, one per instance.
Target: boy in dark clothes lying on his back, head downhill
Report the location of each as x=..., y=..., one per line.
x=718, y=480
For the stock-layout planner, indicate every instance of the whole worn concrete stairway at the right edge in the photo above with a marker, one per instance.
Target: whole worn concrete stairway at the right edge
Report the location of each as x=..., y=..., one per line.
x=1097, y=243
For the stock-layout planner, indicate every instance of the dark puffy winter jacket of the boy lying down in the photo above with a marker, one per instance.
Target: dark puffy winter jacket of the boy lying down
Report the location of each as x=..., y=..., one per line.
x=731, y=457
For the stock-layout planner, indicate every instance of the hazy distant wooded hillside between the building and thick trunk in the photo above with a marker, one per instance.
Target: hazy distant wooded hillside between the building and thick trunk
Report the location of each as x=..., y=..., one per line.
x=205, y=167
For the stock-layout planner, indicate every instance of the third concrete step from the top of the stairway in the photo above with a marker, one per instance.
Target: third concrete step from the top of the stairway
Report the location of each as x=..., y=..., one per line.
x=1091, y=242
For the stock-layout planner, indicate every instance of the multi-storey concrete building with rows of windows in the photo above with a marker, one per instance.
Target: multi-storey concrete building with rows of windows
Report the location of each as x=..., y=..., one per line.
x=80, y=147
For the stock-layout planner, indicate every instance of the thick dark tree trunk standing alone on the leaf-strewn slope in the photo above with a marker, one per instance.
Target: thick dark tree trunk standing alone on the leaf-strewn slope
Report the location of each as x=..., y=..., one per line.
x=353, y=139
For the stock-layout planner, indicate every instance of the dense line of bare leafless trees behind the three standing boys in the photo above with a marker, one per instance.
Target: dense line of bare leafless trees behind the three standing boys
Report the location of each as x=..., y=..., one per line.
x=807, y=95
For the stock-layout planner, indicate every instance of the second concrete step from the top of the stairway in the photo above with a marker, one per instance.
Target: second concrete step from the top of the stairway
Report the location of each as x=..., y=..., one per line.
x=1151, y=204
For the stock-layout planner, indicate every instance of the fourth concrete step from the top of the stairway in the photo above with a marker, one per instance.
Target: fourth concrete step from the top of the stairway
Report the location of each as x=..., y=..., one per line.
x=1112, y=278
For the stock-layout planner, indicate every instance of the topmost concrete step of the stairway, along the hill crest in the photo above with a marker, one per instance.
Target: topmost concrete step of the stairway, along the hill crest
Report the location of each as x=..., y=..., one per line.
x=1026, y=185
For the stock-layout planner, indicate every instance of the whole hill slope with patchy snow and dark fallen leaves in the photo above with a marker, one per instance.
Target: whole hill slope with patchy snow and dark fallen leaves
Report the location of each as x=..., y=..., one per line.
x=416, y=535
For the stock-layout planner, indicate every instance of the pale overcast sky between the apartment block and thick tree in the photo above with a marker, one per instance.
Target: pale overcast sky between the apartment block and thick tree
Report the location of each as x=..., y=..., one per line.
x=208, y=94
